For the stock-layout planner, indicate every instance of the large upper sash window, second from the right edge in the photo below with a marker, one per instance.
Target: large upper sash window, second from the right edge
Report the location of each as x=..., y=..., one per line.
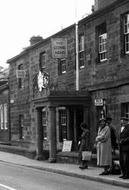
x=102, y=42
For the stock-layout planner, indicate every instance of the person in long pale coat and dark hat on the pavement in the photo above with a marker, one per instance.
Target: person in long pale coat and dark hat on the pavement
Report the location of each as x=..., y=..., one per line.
x=104, y=149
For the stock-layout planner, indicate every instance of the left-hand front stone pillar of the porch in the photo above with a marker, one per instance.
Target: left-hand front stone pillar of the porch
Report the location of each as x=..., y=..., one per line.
x=39, y=155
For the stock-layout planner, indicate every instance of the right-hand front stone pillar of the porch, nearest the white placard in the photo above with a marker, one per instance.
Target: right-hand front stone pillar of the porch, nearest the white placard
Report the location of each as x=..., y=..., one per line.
x=52, y=134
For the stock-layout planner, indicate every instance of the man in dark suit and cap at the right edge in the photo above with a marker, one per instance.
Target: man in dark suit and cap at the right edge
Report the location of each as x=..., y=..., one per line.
x=124, y=147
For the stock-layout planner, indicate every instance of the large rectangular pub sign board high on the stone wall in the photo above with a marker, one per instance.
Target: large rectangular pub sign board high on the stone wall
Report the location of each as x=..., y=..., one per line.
x=59, y=48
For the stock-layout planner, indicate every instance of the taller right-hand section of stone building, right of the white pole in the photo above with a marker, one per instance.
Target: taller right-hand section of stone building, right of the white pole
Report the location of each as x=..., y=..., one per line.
x=106, y=55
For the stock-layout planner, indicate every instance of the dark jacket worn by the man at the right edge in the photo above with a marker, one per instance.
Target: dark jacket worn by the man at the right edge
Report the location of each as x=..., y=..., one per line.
x=124, y=139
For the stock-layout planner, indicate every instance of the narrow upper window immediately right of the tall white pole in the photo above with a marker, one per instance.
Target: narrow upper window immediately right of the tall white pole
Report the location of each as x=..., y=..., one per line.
x=81, y=51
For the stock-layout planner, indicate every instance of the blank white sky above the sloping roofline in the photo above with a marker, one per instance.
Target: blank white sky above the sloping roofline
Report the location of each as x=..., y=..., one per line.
x=22, y=19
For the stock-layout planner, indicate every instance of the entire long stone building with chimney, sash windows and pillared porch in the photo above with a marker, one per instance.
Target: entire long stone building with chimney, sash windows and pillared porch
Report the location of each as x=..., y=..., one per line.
x=46, y=108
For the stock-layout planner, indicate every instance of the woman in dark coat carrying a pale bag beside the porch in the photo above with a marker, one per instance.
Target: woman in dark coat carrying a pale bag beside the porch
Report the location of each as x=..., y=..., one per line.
x=84, y=145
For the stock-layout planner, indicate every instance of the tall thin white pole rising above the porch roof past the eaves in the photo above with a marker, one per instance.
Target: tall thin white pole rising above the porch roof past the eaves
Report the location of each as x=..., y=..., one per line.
x=76, y=37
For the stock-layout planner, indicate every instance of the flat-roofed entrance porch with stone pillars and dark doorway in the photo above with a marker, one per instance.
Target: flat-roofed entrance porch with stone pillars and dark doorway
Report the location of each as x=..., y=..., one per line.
x=58, y=118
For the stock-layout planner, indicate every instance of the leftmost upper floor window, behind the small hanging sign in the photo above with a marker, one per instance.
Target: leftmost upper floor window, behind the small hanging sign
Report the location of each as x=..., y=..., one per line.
x=20, y=76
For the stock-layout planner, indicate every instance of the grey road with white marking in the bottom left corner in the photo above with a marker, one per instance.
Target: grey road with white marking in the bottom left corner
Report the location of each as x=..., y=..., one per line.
x=14, y=177
